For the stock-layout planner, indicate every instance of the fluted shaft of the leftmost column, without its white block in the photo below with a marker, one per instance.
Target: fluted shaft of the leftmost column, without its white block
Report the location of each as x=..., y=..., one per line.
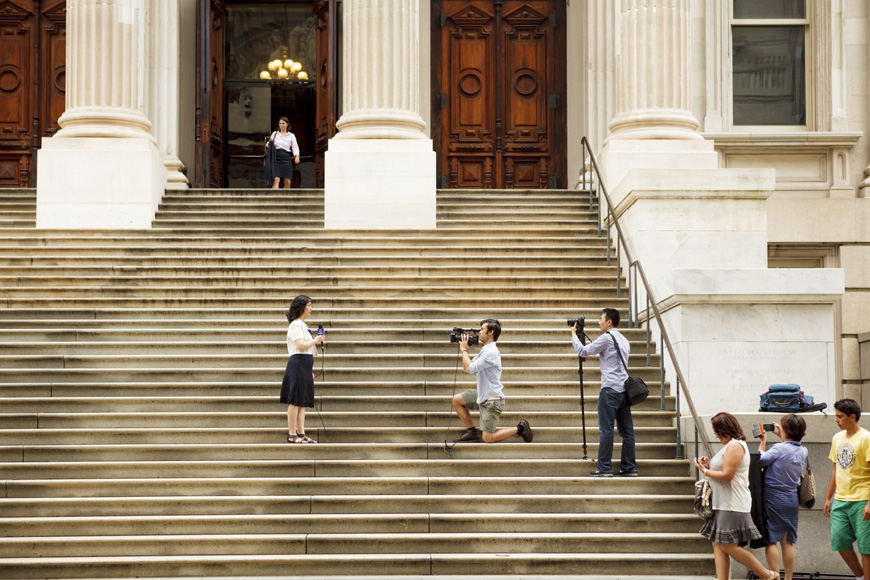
x=105, y=72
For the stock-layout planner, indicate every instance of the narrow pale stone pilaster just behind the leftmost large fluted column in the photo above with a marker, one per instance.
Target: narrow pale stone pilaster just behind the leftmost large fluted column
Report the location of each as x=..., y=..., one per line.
x=163, y=98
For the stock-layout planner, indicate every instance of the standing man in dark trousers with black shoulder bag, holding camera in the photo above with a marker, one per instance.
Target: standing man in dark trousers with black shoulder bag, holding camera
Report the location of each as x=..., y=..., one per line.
x=613, y=402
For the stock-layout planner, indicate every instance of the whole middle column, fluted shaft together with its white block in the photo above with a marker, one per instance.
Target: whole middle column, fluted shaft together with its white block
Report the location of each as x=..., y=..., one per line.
x=380, y=166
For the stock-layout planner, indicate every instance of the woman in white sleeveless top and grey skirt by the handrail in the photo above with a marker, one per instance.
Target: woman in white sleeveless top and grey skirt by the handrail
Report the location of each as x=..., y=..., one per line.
x=731, y=523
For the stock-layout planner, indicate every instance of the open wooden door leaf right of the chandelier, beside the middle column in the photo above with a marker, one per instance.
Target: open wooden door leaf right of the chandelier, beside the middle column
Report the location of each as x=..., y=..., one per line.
x=328, y=13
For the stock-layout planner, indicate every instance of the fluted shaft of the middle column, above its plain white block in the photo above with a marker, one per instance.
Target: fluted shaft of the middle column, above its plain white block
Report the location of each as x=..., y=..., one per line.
x=381, y=71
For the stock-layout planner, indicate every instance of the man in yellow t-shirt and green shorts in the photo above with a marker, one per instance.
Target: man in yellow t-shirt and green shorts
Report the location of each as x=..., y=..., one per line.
x=850, y=509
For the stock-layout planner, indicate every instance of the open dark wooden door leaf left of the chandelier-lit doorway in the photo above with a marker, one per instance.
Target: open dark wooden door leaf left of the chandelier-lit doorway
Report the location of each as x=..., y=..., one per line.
x=210, y=64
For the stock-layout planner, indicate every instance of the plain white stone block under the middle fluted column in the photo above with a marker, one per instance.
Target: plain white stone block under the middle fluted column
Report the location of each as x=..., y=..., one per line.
x=386, y=184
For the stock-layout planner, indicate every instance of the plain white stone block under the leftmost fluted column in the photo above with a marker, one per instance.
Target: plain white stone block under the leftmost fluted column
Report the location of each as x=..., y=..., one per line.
x=98, y=183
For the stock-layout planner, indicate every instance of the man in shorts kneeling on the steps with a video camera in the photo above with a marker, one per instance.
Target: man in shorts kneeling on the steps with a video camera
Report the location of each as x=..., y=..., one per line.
x=488, y=395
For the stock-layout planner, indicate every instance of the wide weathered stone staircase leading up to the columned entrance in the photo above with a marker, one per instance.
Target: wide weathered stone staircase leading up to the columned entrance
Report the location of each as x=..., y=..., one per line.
x=141, y=433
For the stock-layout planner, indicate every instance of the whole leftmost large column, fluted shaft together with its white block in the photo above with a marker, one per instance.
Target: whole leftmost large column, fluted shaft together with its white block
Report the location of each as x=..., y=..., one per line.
x=102, y=169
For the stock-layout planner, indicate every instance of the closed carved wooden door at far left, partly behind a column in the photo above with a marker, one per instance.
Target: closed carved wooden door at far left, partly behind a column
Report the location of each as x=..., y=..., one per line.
x=32, y=83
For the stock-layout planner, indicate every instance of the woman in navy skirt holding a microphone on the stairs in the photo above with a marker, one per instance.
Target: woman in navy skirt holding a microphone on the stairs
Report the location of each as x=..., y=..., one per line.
x=297, y=388
